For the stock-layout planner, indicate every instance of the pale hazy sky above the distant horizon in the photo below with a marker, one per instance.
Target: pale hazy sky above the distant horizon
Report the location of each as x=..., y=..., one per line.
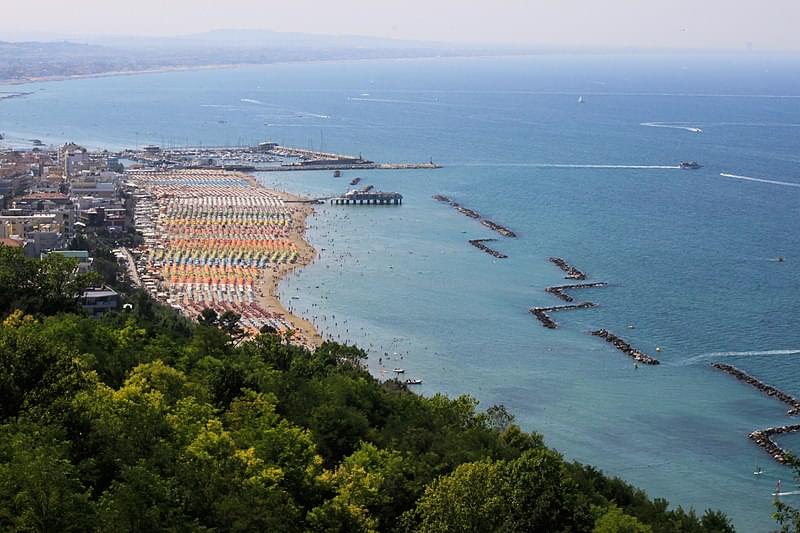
x=768, y=24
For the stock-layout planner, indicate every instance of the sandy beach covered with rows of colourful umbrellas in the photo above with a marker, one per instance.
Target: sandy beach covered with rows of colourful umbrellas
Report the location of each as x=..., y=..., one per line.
x=219, y=240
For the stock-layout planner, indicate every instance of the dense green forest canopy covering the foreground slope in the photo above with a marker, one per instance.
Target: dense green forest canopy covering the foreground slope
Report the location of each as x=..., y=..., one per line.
x=144, y=421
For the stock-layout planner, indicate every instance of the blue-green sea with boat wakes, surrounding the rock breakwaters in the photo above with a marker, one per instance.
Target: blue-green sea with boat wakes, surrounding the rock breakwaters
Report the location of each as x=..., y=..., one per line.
x=690, y=256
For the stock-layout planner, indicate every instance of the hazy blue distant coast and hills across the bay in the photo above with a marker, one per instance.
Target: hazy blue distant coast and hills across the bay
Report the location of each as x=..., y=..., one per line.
x=20, y=61
